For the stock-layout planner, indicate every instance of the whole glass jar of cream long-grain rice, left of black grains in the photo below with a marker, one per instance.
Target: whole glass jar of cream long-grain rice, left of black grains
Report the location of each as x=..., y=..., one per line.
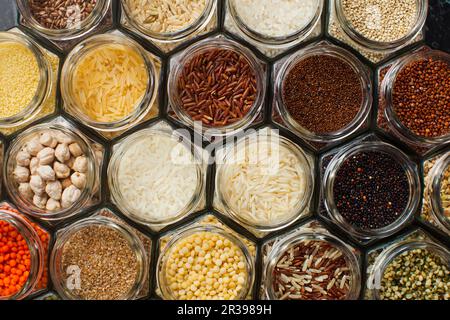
x=265, y=166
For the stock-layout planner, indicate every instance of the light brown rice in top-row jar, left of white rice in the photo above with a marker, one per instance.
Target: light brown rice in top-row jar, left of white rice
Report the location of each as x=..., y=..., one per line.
x=165, y=16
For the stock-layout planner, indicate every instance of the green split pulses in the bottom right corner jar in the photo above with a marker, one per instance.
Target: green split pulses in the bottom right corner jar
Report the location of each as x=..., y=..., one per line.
x=416, y=275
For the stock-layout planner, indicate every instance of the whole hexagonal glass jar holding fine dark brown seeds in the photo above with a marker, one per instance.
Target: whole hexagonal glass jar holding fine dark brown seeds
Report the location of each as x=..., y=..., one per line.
x=289, y=67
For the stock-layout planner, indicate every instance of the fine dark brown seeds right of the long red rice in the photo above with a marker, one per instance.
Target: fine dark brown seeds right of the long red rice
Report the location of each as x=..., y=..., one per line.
x=322, y=94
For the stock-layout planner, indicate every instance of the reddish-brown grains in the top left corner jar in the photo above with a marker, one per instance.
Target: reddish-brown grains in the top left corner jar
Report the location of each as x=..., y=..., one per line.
x=61, y=14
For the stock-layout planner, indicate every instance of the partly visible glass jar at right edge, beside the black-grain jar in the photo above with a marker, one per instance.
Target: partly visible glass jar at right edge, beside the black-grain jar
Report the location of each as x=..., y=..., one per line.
x=436, y=198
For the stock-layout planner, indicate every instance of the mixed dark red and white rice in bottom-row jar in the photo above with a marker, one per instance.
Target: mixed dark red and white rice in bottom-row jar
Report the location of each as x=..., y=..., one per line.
x=325, y=282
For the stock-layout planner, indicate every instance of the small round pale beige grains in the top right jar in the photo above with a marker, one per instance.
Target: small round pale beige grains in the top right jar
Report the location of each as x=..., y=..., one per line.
x=381, y=20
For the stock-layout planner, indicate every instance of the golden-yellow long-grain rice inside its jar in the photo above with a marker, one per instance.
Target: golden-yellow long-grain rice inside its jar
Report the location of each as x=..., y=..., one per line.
x=109, y=82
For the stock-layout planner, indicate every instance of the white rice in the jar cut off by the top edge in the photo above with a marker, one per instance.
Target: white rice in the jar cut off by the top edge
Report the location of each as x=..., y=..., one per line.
x=276, y=18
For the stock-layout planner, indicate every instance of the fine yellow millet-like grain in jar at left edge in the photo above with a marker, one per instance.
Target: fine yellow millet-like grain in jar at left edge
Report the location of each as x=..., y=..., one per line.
x=20, y=76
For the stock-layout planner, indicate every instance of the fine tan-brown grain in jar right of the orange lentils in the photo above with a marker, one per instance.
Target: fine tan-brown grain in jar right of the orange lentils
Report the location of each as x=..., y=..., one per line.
x=108, y=266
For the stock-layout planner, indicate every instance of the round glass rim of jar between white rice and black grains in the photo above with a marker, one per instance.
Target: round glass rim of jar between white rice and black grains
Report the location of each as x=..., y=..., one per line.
x=296, y=212
